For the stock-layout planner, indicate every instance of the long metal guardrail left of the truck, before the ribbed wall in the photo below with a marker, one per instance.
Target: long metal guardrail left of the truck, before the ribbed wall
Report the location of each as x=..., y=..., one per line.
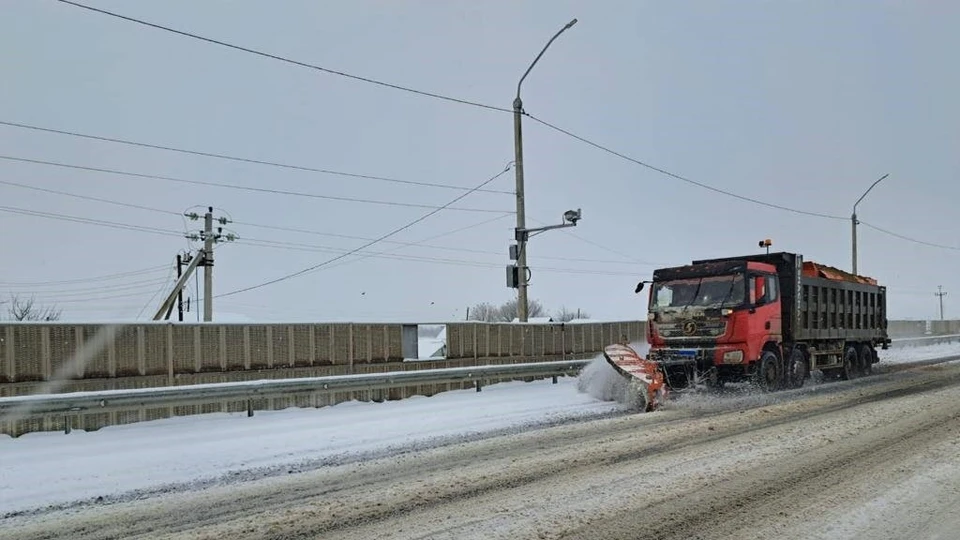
x=100, y=401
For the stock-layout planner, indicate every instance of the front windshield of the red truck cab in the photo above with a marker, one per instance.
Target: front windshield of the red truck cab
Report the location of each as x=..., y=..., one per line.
x=707, y=292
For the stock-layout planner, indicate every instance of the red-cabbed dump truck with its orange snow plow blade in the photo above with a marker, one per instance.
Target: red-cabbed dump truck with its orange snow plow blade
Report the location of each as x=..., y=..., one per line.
x=769, y=318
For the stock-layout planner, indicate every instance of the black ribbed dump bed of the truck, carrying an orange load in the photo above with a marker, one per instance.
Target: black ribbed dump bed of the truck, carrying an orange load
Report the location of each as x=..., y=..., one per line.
x=825, y=303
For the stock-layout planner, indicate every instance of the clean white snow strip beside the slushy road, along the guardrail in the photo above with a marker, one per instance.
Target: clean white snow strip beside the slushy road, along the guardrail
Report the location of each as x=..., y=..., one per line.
x=52, y=469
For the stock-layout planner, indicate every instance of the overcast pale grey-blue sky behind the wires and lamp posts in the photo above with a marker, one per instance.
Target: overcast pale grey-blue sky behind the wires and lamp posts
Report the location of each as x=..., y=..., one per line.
x=801, y=104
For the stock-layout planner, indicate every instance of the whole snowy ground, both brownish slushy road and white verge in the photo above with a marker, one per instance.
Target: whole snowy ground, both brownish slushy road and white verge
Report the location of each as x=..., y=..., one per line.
x=871, y=457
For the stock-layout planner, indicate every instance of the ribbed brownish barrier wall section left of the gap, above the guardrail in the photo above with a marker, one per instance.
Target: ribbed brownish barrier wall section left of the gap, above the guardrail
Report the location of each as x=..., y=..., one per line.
x=39, y=351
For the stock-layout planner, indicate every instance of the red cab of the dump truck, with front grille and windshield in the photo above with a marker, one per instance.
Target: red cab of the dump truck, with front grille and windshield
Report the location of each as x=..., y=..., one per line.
x=710, y=322
